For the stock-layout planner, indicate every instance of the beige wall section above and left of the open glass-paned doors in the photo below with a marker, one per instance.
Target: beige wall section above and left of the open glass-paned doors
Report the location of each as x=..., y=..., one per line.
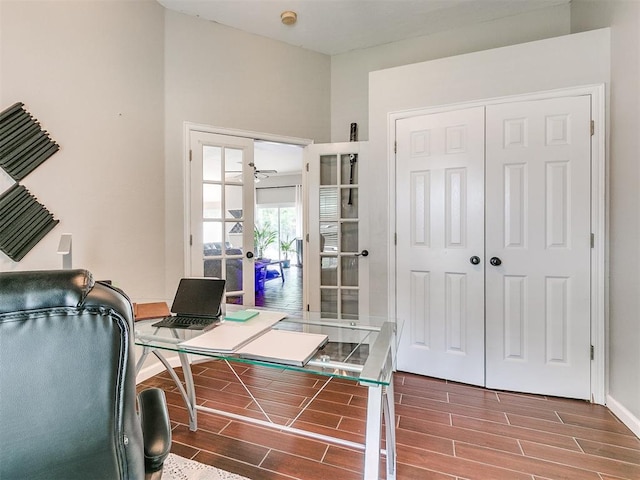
x=219, y=76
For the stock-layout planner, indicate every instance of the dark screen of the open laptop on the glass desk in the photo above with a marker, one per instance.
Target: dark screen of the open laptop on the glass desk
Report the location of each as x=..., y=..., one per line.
x=198, y=297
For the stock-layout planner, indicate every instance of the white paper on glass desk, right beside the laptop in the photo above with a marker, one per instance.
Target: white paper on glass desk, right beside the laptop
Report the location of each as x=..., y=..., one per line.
x=229, y=336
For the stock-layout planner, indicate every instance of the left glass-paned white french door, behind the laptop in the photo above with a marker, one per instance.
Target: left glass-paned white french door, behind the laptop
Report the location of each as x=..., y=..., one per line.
x=221, y=212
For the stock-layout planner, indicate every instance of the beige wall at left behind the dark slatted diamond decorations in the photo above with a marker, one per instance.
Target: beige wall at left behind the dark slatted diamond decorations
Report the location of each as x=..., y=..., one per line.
x=91, y=73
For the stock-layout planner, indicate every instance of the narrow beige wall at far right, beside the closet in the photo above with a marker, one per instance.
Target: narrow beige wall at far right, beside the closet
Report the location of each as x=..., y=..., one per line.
x=624, y=181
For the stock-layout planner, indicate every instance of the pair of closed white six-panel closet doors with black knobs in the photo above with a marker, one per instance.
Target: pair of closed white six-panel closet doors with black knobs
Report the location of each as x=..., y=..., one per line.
x=493, y=248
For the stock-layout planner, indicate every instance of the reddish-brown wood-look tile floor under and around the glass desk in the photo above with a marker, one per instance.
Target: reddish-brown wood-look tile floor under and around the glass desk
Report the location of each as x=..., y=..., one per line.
x=444, y=430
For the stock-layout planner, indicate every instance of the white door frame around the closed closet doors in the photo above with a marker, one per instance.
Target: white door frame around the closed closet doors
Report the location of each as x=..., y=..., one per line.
x=599, y=213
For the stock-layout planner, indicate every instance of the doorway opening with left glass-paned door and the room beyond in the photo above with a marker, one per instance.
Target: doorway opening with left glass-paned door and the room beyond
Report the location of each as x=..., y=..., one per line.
x=227, y=171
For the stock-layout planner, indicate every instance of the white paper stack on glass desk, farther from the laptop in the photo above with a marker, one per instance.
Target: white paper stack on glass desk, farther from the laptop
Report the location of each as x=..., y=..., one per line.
x=284, y=346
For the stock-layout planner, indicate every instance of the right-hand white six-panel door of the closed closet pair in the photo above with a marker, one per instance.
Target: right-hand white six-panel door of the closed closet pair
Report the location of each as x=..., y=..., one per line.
x=538, y=227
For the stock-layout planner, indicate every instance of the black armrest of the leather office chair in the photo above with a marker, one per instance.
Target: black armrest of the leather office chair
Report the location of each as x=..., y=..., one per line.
x=156, y=428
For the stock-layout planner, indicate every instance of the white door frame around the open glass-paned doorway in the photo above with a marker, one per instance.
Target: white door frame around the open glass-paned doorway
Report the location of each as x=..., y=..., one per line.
x=190, y=127
